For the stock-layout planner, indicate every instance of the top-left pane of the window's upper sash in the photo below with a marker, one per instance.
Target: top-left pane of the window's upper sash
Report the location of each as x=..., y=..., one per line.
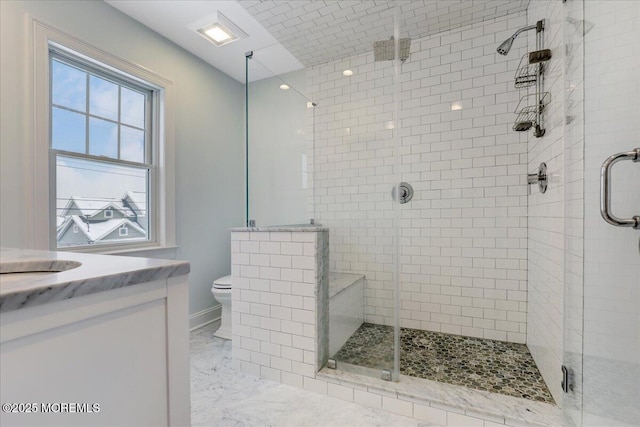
x=68, y=86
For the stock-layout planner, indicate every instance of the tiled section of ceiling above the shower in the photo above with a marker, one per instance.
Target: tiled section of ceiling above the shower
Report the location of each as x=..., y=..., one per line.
x=316, y=32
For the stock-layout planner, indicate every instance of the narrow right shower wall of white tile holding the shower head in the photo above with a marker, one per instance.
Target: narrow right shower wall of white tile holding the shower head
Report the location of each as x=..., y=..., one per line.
x=546, y=251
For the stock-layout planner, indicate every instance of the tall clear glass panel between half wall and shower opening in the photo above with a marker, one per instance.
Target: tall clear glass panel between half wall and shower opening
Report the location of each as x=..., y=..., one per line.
x=355, y=171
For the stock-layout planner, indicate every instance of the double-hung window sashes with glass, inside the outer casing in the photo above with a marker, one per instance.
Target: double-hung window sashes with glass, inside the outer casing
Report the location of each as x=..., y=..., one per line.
x=101, y=143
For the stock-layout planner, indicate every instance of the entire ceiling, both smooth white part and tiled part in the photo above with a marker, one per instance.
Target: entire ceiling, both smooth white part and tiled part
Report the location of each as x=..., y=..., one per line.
x=290, y=35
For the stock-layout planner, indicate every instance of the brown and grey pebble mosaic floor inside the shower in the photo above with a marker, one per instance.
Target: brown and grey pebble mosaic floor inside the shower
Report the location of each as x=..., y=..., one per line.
x=482, y=364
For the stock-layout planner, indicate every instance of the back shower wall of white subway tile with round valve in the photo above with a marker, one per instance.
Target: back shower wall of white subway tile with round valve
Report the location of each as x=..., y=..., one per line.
x=463, y=239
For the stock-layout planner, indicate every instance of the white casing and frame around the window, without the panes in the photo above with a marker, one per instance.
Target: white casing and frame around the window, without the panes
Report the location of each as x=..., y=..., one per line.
x=162, y=201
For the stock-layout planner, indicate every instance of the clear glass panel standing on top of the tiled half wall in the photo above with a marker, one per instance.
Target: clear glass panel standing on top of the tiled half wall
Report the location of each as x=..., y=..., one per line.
x=279, y=146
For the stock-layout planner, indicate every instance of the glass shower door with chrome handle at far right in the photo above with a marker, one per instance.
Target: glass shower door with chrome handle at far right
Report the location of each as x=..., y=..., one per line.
x=611, y=343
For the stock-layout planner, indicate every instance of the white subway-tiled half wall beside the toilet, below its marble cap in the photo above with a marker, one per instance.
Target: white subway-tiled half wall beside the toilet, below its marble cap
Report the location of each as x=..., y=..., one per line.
x=276, y=319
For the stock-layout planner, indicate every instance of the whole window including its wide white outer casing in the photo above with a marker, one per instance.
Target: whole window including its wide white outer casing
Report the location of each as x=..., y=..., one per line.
x=82, y=149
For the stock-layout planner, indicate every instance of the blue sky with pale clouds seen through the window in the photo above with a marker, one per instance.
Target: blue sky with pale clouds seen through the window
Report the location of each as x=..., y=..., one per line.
x=77, y=177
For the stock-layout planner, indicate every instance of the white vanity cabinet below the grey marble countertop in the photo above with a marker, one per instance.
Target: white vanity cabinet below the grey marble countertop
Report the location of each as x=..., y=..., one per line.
x=117, y=357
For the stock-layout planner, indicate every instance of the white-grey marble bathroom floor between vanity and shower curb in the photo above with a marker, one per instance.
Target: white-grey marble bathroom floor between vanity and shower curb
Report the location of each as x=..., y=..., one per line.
x=222, y=397
